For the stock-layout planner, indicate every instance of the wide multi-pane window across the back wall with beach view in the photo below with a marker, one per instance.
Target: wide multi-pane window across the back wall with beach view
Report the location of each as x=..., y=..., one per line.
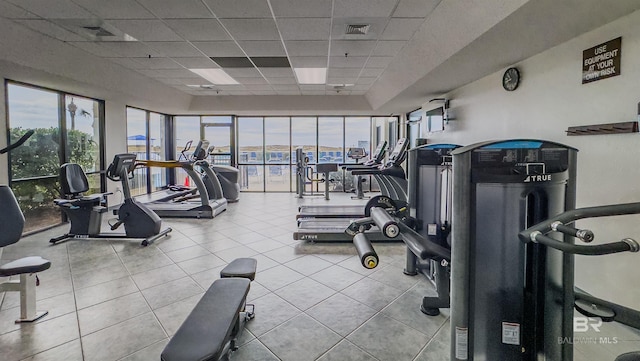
x=267, y=149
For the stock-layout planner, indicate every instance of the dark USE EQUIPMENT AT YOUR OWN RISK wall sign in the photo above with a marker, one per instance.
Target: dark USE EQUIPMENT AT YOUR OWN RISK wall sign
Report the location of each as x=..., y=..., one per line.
x=602, y=61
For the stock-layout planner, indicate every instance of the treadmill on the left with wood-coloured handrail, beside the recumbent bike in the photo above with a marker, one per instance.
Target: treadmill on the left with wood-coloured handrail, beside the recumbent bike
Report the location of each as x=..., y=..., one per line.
x=196, y=204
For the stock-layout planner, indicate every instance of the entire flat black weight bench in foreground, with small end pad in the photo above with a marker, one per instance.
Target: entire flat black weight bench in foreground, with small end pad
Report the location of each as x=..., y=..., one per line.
x=211, y=330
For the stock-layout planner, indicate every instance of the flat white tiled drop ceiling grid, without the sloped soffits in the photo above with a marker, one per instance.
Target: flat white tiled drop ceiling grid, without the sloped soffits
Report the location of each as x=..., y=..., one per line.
x=168, y=37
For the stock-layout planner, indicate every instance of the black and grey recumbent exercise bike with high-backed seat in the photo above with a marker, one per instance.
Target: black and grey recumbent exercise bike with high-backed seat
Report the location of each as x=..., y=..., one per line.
x=85, y=212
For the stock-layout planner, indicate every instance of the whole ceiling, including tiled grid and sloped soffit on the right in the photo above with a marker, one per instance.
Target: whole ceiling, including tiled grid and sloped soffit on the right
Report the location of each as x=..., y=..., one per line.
x=411, y=49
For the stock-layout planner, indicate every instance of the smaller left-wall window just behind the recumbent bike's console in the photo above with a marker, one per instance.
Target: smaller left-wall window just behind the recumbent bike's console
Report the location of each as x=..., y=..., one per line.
x=146, y=138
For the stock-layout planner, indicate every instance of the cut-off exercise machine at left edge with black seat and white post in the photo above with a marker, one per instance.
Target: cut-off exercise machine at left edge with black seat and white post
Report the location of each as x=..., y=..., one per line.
x=11, y=226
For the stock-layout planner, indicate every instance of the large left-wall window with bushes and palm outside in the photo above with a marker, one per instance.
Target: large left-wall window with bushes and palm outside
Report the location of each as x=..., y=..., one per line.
x=67, y=128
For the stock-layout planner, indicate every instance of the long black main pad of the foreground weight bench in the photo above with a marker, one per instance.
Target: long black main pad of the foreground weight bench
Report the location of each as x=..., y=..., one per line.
x=208, y=327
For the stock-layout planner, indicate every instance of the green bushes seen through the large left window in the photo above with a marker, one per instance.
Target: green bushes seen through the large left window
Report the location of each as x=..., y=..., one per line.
x=40, y=157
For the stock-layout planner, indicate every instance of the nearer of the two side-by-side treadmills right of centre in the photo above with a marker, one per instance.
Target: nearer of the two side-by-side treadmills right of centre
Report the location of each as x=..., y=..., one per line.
x=332, y=229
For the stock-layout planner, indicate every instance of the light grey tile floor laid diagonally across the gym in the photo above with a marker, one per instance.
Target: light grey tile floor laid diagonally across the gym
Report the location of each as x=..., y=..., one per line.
x=116, y=300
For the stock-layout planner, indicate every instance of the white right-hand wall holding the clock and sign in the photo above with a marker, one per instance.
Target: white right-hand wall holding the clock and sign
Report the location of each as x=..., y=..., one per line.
x=551, y=98
